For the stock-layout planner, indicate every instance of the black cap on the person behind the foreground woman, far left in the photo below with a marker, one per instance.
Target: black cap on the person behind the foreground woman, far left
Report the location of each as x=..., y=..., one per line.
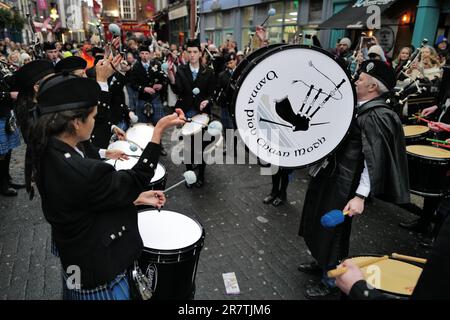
x=32, y=72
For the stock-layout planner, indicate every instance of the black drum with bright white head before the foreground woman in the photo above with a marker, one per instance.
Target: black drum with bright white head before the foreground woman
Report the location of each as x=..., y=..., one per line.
x=172, y=245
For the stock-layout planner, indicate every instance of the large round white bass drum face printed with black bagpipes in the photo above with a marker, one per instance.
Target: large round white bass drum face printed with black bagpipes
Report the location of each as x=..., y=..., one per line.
x=293, y=105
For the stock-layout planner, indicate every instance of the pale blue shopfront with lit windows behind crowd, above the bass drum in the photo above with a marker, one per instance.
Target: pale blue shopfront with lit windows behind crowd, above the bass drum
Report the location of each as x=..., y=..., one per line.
x=223, y=20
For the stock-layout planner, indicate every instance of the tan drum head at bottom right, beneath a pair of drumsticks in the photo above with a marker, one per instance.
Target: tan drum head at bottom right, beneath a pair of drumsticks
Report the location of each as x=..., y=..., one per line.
x=395, y=278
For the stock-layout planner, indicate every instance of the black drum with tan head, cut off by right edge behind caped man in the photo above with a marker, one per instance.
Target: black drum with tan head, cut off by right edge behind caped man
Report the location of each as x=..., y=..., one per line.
x=429, y=170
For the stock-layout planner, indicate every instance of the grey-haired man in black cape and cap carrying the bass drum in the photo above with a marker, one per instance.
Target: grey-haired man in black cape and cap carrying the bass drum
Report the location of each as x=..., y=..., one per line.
x=371, y=160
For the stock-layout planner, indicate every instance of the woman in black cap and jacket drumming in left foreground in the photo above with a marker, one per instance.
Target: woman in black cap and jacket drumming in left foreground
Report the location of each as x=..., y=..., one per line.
x=90, y=205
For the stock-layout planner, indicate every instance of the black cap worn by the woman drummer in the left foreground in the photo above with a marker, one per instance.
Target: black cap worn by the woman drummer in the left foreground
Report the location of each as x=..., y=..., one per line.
x=64, y=92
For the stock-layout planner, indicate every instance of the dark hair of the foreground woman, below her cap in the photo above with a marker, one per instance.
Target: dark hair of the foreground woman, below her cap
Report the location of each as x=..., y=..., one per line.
x=50, y=125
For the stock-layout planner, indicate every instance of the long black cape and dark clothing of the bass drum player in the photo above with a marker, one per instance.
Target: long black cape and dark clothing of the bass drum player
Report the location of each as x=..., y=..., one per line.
x=375, y=136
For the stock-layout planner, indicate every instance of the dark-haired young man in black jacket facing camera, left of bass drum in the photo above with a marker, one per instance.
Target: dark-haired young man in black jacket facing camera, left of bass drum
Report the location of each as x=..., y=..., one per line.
x=194, y=86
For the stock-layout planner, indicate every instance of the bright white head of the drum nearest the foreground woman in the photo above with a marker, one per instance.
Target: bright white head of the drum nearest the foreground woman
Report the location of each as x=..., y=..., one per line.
x=167, y=230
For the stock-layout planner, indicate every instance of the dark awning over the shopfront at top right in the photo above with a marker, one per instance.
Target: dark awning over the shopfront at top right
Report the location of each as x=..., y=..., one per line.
x=355, y=15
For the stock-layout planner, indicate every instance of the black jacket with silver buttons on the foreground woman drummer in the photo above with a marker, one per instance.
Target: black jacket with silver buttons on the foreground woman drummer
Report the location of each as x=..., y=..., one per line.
x=90, y=208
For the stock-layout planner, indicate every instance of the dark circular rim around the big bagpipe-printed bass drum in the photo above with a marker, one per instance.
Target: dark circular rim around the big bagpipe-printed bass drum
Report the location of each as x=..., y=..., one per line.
x=248, y=68
